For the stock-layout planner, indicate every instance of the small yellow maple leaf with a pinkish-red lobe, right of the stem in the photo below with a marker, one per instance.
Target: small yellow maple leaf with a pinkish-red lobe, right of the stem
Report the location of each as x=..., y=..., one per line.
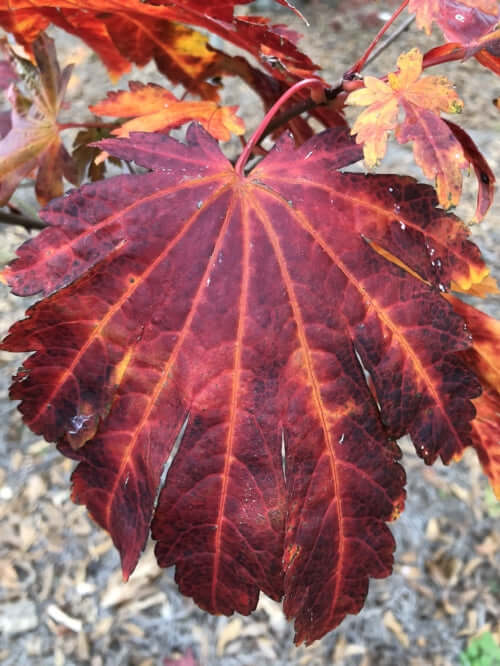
x=436, y=149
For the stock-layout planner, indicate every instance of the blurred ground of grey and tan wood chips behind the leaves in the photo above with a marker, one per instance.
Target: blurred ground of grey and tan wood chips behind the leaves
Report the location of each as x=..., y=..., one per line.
x=62, y=601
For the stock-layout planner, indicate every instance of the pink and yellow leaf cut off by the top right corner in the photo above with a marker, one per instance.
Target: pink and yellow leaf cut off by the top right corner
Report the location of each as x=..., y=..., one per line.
x=462, y=22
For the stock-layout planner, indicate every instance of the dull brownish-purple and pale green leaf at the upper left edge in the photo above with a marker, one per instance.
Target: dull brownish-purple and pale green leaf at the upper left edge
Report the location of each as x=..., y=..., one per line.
x=33, y=141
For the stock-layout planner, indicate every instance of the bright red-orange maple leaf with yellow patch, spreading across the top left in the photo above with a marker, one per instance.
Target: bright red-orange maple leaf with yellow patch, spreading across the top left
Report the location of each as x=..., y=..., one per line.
x=133, y=31
